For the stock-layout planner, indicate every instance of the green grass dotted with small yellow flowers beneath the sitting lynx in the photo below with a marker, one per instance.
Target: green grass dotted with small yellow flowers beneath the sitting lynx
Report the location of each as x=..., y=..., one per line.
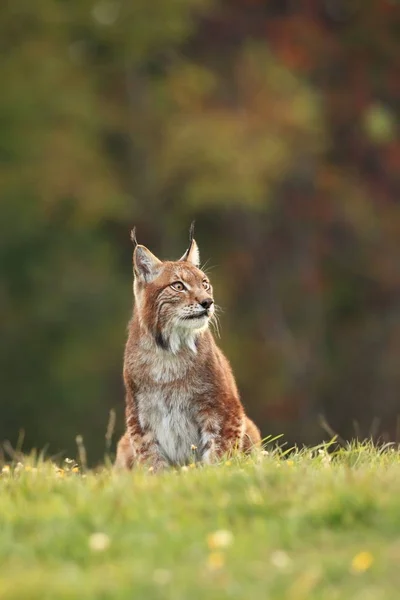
x=313, y=526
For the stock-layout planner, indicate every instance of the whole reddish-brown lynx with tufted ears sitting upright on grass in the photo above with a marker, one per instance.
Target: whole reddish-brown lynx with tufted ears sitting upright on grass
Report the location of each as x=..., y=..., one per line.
x=182, y=402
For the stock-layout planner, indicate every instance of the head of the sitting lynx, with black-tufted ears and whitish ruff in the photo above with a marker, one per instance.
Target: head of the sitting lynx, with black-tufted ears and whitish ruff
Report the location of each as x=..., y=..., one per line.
x=174, y=299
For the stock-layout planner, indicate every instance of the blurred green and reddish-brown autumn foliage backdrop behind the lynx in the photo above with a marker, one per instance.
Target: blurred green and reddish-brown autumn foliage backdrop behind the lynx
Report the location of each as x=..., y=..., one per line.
x=272, y=123
